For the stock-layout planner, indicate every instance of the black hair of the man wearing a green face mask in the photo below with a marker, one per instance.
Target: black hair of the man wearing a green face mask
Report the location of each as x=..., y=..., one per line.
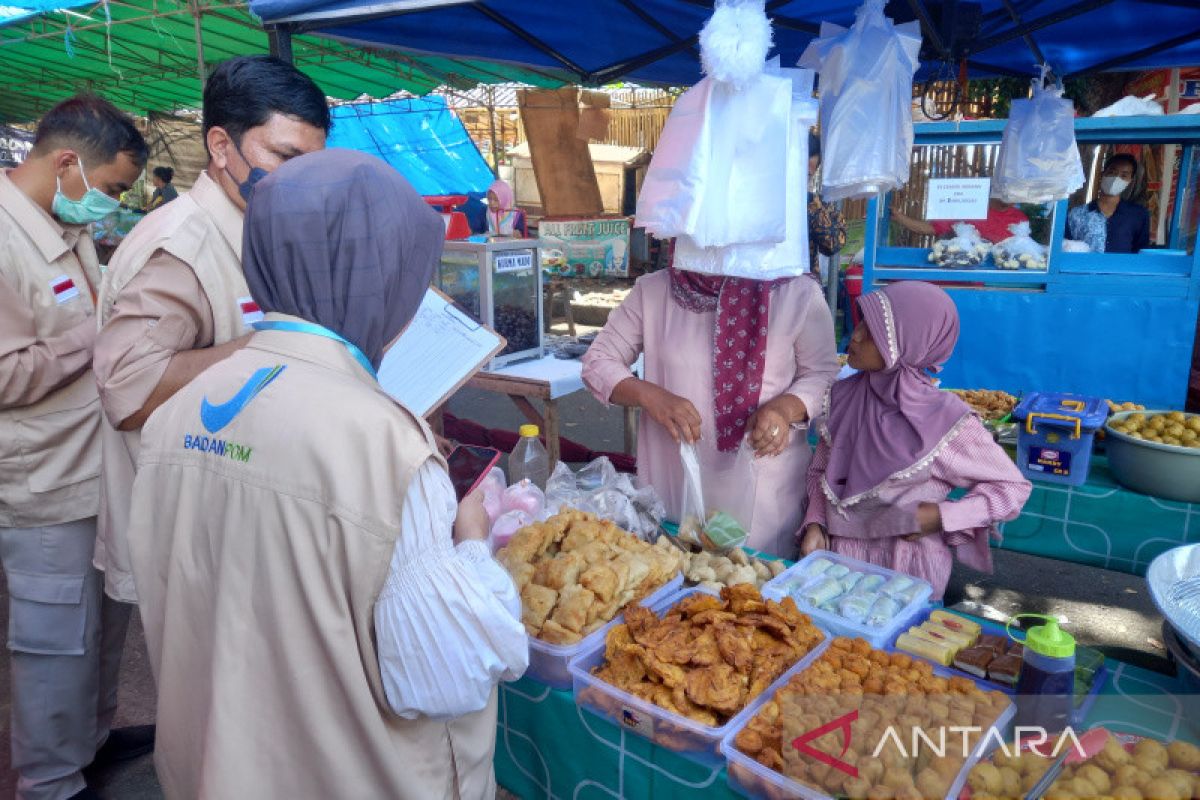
x=94, y=128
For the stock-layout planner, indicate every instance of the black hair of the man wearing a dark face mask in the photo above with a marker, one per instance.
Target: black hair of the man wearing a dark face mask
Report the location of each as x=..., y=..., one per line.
x=244, y=93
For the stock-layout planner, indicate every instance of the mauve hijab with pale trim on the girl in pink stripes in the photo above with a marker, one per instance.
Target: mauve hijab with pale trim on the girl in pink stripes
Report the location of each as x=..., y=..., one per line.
x=884, y=423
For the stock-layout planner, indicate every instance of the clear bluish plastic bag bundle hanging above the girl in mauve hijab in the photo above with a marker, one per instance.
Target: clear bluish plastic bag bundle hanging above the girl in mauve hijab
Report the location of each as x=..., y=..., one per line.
x=866, y=103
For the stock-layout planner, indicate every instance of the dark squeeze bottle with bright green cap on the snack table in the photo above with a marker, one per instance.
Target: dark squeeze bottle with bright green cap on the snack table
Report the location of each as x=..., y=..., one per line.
x=1046, y=688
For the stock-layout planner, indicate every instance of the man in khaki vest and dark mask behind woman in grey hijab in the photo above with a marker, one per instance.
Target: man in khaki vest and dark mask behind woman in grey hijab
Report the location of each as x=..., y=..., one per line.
x=175, y=300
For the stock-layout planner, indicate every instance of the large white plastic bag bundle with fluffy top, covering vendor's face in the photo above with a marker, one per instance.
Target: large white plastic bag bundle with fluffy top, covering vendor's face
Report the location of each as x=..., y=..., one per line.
x=729, y=176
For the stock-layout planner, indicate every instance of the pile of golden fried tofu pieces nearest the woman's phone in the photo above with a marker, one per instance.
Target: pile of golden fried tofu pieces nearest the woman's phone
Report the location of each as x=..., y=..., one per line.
x=577, y=573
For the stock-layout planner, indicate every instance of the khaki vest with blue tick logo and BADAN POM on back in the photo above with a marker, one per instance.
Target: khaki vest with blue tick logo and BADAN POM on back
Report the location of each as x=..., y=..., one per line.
x=259, y=579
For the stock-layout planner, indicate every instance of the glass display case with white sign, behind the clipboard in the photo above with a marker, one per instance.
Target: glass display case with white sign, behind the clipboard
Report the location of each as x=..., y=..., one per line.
x=499, y=284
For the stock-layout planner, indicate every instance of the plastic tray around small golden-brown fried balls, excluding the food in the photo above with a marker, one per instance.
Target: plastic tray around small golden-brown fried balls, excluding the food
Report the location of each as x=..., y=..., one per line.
x=751, y=779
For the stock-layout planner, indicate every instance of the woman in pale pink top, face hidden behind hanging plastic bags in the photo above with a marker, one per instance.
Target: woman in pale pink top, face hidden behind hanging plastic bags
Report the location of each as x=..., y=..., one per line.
x=728, y=360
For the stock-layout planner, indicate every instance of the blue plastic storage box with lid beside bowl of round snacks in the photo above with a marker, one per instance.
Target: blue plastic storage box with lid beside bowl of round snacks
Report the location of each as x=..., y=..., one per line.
x=1054, y=441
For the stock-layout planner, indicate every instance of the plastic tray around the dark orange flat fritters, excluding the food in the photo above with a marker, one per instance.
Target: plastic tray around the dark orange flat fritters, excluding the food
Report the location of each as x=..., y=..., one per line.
x=664, y=729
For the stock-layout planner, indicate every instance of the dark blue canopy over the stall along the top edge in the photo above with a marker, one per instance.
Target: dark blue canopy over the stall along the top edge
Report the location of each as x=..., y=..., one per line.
x=655, y=41
